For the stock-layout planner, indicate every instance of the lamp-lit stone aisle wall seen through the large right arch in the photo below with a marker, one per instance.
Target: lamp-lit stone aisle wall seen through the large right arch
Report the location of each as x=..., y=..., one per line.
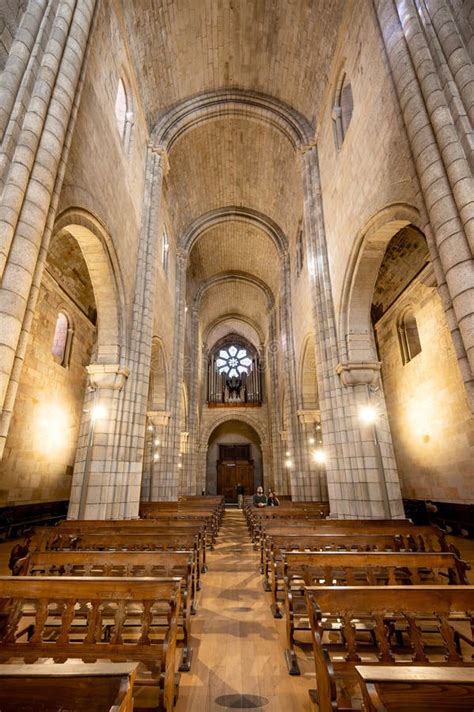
x=432, y=429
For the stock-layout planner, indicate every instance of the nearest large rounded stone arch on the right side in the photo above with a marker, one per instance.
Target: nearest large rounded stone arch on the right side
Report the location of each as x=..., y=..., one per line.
x=355, y=326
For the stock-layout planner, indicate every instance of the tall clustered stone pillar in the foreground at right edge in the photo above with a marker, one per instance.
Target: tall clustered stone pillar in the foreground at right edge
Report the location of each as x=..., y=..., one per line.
x=440, y=158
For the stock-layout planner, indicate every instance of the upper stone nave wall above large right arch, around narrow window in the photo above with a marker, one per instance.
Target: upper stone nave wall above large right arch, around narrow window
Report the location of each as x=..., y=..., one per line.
x=373, y=167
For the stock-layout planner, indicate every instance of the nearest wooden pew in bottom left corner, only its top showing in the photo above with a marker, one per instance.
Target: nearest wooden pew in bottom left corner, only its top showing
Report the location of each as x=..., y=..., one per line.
x=97, y=687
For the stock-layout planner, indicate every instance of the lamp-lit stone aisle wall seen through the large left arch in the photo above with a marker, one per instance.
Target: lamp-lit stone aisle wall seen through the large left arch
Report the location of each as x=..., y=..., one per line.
x=41, y=445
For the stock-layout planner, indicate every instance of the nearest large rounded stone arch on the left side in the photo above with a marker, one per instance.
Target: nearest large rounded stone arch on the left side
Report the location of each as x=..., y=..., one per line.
x=102, y=264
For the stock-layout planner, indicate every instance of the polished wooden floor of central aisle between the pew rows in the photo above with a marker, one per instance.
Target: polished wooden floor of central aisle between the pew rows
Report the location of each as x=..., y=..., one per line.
x=238, y=646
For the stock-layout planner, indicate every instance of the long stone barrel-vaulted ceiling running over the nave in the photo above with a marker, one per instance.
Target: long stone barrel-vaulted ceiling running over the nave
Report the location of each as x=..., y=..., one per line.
x=185, y=49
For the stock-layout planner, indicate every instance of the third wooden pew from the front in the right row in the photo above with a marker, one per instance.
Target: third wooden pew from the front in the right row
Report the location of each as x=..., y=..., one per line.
x=303, y=569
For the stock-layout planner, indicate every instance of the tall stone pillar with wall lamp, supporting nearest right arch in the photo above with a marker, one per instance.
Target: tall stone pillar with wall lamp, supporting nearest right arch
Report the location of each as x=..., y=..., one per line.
x=361, y=472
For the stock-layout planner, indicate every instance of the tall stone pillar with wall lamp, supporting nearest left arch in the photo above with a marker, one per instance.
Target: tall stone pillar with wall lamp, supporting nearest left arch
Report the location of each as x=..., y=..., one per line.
x=118, y=465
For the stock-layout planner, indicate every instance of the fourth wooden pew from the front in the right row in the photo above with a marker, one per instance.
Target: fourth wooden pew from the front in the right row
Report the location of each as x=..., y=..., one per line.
x=408, y=537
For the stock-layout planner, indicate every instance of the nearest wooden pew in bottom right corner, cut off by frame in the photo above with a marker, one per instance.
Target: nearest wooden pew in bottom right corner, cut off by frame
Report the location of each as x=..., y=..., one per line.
x=390, y=688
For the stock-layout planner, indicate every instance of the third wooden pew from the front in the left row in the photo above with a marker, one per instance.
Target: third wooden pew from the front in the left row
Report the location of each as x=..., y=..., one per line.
x=156, y=564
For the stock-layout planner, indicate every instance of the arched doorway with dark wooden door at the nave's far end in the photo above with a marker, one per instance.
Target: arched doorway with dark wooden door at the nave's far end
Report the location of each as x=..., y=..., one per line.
x=234, y=456
